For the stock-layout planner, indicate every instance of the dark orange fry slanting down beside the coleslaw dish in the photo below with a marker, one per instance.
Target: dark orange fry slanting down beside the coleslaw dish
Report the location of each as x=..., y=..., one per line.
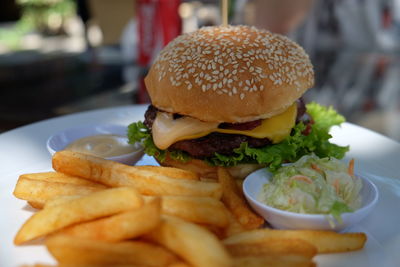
x=236, y=203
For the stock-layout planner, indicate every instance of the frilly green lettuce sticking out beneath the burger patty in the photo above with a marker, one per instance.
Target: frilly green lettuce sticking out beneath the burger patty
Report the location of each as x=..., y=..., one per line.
x=289, y=150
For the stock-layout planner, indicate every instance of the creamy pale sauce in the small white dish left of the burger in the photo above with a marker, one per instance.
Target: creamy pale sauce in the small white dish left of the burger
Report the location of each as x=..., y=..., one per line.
x=102, y=145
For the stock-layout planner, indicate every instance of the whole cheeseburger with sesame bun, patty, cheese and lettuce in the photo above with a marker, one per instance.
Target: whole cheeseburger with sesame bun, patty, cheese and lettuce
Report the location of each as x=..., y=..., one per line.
x=232, y=96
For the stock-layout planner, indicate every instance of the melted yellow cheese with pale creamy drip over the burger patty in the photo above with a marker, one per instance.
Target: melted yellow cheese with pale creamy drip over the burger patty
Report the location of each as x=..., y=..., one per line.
x=167, y=131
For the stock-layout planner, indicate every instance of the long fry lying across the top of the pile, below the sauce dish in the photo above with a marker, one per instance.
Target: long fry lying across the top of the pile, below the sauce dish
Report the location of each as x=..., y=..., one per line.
x=116, y=174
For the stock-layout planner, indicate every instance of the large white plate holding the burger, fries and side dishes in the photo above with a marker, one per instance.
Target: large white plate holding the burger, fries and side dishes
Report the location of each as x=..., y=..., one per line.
x=24, y=150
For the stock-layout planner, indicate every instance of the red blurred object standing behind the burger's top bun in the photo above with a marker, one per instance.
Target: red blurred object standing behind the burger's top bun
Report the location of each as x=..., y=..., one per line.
x=158, y=24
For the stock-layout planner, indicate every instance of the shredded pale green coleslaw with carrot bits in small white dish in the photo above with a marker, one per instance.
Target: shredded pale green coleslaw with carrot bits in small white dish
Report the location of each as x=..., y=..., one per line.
x=314, y=185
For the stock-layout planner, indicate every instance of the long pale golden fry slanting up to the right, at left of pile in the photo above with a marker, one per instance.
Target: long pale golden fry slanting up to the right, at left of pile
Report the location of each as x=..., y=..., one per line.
x=85, y=208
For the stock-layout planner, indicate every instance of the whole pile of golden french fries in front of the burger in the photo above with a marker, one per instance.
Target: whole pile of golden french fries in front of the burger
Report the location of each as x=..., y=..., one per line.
x=95, y=212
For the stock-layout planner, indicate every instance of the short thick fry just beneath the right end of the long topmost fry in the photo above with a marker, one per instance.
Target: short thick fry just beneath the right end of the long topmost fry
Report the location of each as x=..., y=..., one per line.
x=201, y=210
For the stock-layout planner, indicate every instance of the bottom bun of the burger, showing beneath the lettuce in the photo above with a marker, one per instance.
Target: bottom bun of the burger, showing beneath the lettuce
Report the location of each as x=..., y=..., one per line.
x=206, y=171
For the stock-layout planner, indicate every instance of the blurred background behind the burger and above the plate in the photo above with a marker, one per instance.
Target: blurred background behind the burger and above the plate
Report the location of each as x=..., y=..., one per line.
x=64, y=56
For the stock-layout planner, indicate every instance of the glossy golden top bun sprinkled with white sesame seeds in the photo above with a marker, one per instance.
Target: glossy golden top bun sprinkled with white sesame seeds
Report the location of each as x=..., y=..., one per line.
x=229, y=74
